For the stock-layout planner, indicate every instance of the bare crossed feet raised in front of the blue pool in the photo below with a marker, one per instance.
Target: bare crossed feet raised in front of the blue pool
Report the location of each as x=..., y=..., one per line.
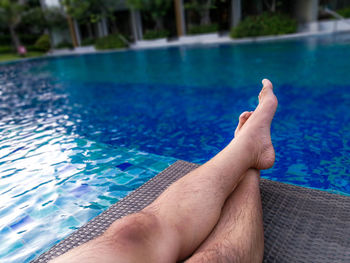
x=254, y=128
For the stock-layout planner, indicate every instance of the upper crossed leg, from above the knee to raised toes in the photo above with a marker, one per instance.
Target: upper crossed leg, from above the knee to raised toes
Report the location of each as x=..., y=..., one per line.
x=177, y=222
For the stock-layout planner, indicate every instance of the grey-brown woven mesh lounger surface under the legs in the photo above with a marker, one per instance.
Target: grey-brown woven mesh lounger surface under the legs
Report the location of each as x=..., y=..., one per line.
x=300, y=224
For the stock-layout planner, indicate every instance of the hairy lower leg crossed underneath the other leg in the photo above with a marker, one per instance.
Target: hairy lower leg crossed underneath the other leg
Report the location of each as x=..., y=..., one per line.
x=239, y=236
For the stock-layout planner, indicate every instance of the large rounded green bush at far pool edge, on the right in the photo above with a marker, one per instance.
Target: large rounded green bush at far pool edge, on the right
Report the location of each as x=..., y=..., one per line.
x=263, y=25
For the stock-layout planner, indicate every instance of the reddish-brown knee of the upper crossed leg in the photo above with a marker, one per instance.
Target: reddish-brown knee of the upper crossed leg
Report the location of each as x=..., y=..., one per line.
x=133, y=230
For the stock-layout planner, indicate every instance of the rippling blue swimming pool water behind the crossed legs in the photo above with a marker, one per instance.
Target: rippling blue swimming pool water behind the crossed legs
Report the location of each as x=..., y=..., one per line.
x=80, y=132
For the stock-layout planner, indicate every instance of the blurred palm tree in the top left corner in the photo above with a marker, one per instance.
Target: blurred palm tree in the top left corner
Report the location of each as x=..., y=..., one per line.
x=10, y=14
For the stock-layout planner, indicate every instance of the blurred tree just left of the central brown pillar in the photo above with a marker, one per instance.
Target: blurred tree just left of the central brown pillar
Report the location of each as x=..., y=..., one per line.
x=157, y=9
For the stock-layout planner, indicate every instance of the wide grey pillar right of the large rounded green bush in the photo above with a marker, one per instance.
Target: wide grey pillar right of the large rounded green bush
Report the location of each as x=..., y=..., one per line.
x=306, y=10
